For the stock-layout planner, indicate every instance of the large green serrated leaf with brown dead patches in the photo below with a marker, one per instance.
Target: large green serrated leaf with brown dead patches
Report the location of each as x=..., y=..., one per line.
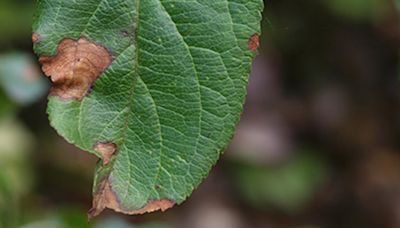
x=163, y=110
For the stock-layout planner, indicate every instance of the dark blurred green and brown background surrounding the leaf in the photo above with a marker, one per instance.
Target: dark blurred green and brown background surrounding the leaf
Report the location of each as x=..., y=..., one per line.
x=318, y=144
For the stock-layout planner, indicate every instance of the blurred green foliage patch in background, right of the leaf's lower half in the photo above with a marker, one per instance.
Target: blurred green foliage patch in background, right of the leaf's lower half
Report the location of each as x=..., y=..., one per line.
x=288, y=186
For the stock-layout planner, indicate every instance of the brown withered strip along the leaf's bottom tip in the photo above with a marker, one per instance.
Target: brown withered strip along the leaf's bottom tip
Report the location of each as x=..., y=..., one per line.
x=106, y=198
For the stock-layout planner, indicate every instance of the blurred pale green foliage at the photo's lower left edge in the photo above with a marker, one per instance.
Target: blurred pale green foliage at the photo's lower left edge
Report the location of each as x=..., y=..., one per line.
x=15, y=176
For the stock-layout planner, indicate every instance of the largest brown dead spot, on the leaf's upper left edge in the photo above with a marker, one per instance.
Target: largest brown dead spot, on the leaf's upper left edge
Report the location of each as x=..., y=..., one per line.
x=76, y=66
